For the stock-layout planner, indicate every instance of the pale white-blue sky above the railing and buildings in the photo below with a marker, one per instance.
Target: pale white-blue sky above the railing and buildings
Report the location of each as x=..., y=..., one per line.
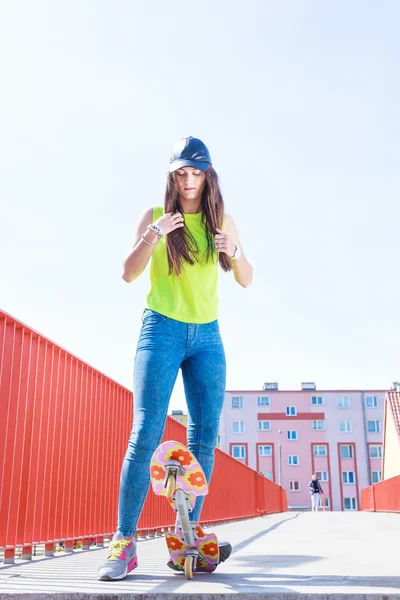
x=298, y=102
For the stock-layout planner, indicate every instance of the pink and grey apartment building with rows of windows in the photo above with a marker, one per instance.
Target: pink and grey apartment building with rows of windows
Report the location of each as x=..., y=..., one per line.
x=288, y=435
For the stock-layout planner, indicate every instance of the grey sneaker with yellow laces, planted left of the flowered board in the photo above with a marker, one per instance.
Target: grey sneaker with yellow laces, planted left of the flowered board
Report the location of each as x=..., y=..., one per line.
x=121, y=559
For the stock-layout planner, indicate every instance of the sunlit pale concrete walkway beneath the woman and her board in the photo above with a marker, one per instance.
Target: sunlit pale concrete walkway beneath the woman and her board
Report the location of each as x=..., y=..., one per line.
x=291, y=554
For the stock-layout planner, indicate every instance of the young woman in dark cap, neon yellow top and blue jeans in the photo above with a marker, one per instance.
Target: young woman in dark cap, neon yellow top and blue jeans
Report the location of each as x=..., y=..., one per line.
x=185, y=239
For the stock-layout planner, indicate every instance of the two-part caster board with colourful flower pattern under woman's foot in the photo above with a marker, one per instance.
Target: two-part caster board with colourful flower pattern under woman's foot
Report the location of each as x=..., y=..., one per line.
x=176, y=474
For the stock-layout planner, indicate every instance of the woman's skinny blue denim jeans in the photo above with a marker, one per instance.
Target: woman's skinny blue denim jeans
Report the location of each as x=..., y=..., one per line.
x=164, y=346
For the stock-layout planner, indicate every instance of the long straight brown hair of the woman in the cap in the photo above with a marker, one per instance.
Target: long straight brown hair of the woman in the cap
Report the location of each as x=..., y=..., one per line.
x=181, y=246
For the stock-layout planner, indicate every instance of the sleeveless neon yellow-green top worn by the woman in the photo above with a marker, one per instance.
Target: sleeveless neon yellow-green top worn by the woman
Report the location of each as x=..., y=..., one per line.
x=193, y=297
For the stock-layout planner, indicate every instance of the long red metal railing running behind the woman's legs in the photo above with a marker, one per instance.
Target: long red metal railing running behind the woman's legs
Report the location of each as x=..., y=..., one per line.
x=63, y=432
